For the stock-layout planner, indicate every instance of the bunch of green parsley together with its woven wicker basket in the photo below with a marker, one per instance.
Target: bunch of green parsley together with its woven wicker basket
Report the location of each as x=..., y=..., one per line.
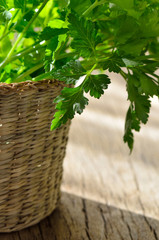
x=64, y=40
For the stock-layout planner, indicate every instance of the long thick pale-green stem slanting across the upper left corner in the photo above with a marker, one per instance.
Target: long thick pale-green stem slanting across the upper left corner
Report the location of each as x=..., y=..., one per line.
x=21, y=35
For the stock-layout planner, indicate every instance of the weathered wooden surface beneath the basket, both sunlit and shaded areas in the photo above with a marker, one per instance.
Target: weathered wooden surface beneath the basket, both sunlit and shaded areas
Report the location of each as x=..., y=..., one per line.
x=106, y=193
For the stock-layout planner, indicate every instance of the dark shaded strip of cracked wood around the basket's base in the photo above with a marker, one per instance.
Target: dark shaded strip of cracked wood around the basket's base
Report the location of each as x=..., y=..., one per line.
x=77, y=218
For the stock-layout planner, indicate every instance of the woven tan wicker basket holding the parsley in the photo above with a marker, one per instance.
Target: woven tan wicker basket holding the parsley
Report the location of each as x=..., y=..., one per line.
x=31, y=156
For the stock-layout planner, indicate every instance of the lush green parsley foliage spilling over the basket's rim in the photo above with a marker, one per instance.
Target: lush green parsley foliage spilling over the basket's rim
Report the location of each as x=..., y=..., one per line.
x=79, y=43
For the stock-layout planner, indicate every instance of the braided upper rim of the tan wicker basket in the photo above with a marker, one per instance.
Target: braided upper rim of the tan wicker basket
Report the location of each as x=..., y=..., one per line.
x=21, y=86
